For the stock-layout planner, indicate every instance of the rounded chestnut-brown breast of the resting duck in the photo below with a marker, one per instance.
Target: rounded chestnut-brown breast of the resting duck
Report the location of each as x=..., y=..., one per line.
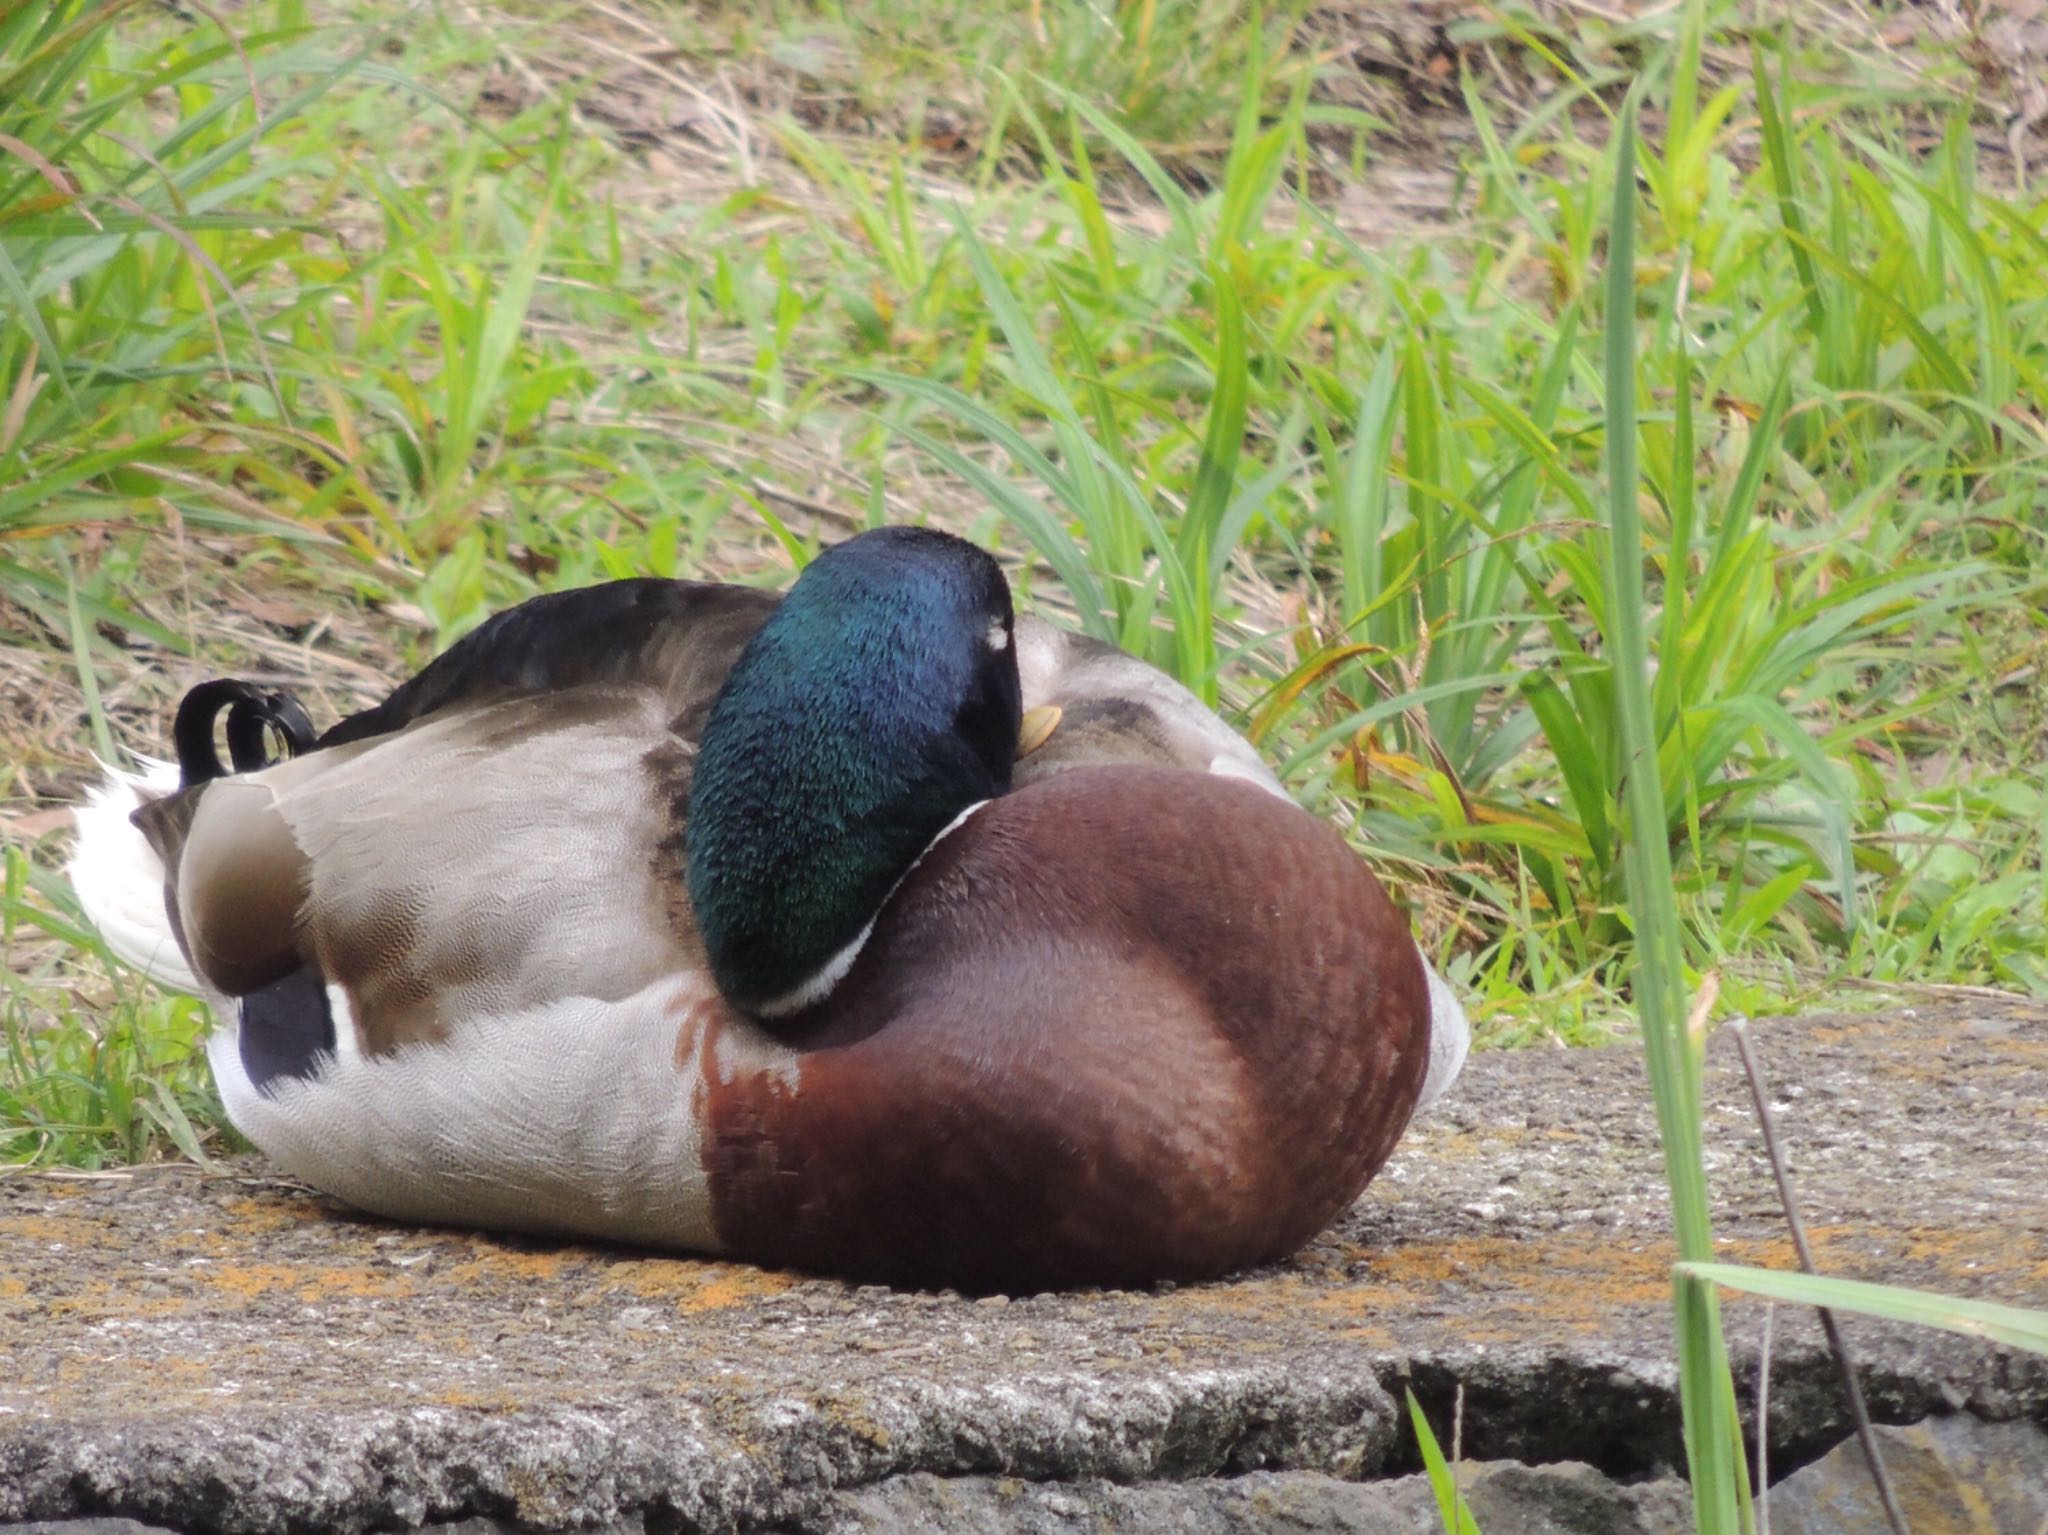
x=1123, y=1024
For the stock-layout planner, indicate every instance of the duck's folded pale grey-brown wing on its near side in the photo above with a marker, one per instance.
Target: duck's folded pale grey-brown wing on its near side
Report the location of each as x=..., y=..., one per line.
x=486, y=859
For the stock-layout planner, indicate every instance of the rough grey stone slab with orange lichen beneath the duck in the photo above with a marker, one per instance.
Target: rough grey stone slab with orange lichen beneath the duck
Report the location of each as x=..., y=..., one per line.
x=234, y=1354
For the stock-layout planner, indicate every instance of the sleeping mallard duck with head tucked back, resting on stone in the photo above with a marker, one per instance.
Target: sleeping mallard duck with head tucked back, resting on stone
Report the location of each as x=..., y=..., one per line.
x=867, y=930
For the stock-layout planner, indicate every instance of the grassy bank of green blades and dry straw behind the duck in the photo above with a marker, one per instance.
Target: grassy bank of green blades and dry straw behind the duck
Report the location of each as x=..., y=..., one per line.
x=329, y=335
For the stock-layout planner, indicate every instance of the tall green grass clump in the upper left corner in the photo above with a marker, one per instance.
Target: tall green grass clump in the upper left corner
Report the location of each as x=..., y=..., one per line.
x=122, y=279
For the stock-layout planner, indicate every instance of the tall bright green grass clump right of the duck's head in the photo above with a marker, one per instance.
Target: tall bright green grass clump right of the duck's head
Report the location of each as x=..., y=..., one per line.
x=1412, y=457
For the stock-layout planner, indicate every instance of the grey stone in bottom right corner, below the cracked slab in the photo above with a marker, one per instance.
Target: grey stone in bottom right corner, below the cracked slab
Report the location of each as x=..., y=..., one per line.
x=1951, y=1477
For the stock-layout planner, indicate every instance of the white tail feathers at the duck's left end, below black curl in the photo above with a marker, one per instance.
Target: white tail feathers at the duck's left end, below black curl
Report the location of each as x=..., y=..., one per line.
x=120, y=879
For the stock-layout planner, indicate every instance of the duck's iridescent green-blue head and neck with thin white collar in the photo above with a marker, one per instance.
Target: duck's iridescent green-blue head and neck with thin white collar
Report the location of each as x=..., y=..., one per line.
x=876, y=707
